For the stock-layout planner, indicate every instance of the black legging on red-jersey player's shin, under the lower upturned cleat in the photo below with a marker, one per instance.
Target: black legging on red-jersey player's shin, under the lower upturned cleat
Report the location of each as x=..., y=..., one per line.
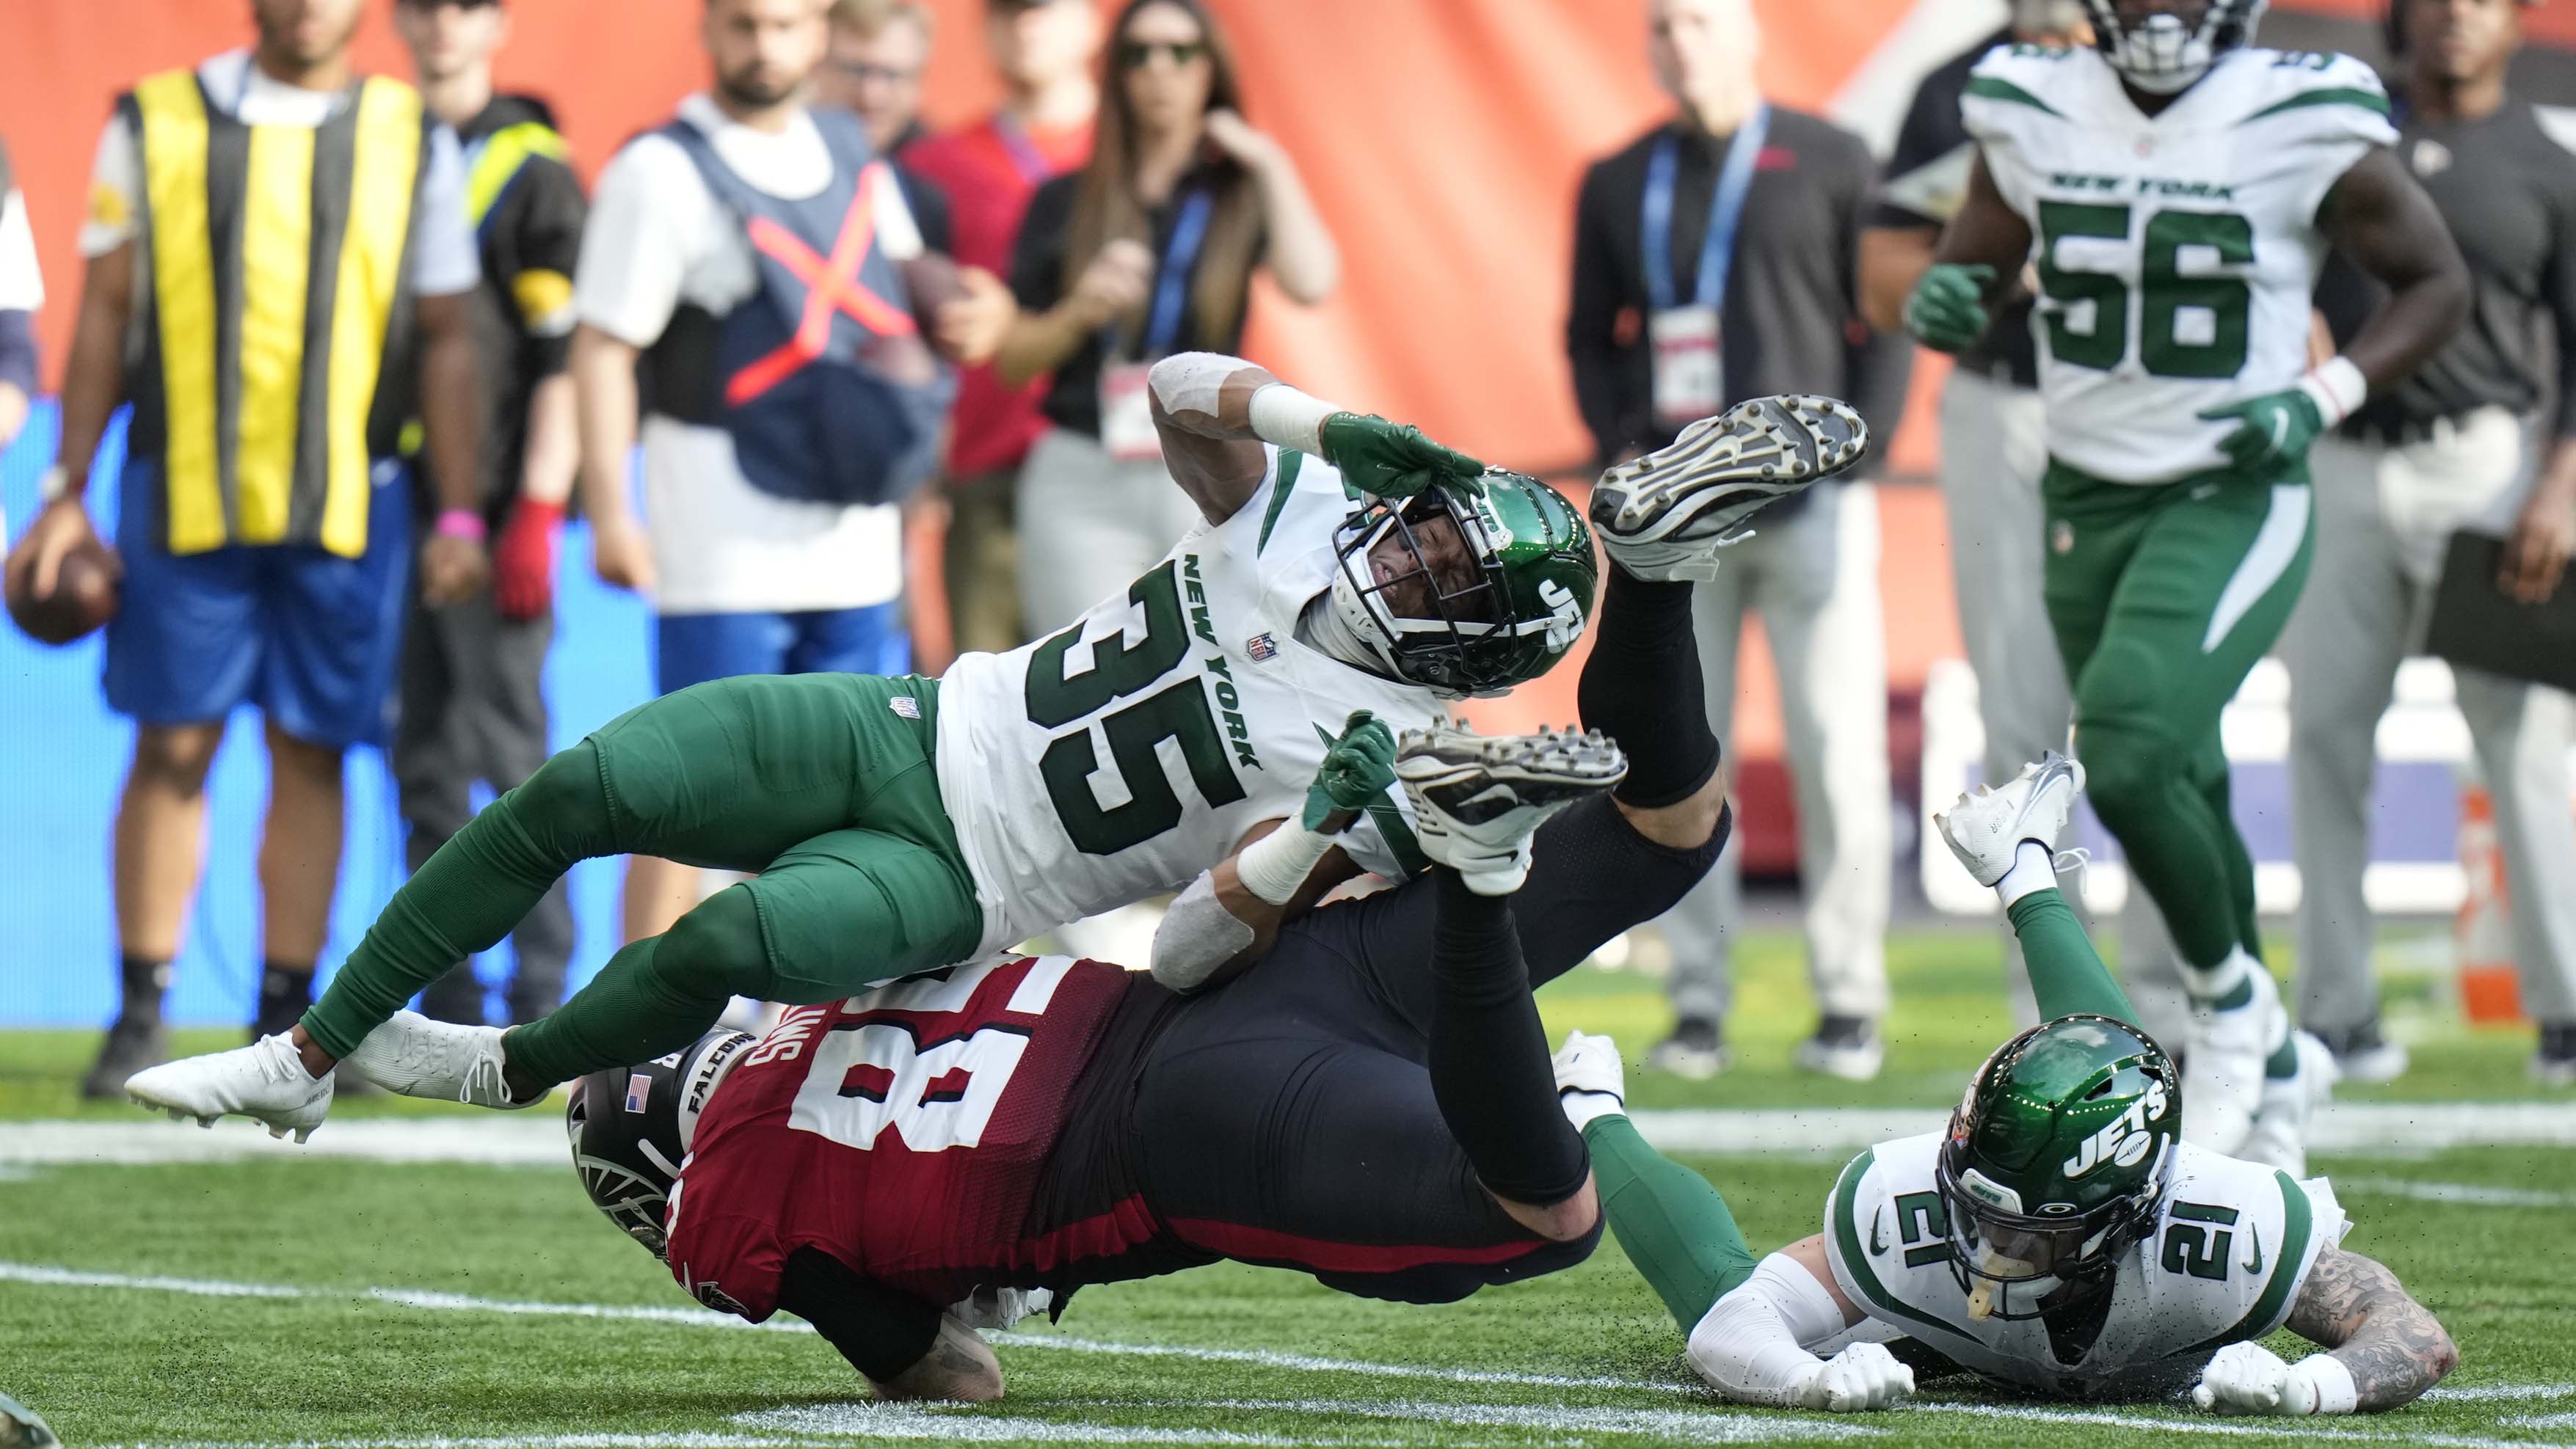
x=1490, y=1054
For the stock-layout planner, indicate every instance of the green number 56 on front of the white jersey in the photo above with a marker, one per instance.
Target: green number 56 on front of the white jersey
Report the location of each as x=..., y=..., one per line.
x=2191, y=326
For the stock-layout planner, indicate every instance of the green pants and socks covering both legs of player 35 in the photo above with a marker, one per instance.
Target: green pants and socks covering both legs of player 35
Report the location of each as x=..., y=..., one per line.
x=820, y=784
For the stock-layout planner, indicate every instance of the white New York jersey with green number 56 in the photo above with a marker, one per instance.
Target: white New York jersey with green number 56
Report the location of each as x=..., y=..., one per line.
x=2178, y=251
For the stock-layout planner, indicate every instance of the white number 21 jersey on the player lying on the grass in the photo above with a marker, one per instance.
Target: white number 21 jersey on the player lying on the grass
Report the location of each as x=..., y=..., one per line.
x=2224, y=1262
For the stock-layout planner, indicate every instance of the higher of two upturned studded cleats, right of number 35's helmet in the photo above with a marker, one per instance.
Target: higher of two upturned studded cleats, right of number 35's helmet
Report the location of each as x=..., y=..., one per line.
x=1671, y=513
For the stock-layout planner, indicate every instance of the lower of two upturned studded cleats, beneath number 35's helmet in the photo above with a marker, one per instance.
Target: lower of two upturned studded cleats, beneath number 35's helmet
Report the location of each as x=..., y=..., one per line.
x=1477, y=802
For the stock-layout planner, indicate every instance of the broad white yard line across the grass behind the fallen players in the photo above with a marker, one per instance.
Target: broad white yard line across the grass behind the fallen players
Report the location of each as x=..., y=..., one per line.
x=1807, y=1131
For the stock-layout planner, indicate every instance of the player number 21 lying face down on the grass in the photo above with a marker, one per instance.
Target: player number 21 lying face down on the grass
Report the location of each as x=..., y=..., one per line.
x=2057, y=1237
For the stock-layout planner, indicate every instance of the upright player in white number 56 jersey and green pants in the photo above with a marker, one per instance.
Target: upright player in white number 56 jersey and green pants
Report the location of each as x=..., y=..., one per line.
x=2175, y=192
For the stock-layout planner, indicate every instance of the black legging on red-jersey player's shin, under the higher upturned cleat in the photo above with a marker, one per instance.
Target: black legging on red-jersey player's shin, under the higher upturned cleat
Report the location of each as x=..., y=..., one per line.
x=1642, y=688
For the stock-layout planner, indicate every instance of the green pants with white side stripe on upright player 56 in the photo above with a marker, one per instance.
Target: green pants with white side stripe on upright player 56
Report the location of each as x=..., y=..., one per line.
x=2163, y=601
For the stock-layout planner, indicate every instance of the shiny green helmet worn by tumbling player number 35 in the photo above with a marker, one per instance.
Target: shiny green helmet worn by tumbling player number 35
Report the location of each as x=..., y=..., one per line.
x=1495, y=624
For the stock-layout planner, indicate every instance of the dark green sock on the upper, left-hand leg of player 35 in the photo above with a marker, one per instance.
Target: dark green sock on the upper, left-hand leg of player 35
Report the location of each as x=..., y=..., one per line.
x=468, y=897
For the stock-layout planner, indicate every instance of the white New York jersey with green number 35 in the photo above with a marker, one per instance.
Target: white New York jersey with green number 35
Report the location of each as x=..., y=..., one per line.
x=1135, y=750
